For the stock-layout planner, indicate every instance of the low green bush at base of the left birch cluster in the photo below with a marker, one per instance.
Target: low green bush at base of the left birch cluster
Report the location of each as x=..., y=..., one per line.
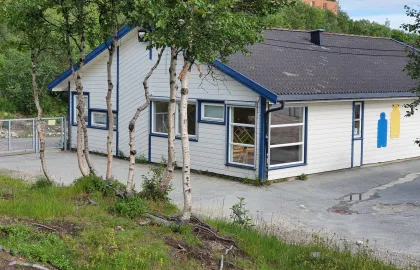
x=92, y=183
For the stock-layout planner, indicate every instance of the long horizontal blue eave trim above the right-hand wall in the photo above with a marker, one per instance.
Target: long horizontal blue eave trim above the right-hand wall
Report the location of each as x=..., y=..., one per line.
x=316, y=97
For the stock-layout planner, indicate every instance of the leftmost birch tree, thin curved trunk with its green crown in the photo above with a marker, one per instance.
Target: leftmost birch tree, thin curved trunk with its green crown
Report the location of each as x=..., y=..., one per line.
x=26, y=18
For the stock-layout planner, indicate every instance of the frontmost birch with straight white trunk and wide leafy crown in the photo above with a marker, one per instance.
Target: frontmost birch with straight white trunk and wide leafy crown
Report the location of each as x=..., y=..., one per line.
x=203, y=30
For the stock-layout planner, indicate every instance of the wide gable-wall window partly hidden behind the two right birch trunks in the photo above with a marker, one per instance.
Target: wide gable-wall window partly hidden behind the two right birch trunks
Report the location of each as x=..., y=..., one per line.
x=160, y=118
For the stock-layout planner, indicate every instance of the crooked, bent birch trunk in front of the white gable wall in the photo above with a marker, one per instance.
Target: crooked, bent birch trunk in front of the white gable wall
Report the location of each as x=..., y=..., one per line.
x=132, y=126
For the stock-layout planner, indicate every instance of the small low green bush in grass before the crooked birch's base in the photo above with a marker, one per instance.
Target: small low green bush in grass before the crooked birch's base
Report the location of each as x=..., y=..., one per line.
x=130, y=207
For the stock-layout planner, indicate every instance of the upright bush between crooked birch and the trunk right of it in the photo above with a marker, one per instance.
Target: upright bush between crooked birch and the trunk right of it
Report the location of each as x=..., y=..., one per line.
x=152, y=181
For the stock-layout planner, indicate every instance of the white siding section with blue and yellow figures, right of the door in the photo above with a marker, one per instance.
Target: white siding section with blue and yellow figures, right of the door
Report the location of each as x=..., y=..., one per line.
x=399, y=148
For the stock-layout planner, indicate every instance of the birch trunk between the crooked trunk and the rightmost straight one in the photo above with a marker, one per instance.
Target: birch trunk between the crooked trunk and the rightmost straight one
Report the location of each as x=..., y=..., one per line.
x=171, y=121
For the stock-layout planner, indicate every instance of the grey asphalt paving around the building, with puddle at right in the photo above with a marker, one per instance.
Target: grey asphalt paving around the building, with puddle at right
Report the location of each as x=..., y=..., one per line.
x=388, y=214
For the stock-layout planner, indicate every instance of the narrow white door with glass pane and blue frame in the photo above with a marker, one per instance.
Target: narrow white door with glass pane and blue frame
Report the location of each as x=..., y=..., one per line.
x=357, y=136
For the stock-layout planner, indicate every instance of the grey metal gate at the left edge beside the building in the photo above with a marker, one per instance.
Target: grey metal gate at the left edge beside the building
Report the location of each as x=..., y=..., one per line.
x=20, y=136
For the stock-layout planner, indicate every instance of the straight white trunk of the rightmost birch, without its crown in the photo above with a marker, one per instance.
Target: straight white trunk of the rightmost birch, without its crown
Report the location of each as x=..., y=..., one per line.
x=186, y=214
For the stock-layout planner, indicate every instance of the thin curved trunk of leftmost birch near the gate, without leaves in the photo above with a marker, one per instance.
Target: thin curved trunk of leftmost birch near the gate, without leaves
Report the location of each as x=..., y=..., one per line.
x=38, y=119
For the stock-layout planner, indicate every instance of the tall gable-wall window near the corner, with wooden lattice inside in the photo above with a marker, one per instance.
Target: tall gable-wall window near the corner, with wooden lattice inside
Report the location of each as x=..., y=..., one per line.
x=242, y=136
